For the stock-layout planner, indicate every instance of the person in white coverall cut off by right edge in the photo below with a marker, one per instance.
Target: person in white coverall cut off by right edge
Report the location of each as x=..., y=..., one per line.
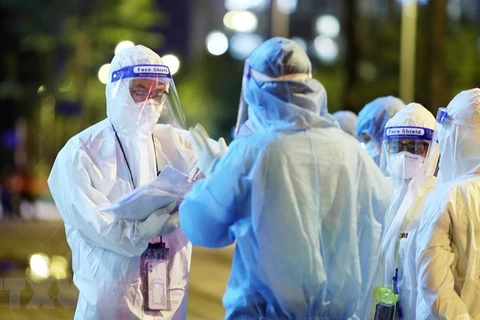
x=448, y=242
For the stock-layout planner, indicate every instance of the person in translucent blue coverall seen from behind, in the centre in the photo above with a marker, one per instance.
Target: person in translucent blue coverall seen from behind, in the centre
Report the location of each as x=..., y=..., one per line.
x=301, y=198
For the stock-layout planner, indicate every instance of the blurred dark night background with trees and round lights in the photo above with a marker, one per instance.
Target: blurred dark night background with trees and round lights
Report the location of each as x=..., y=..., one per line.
x=52, y=53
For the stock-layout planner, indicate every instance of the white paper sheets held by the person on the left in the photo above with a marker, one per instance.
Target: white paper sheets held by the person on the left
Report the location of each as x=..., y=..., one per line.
x=170, y=185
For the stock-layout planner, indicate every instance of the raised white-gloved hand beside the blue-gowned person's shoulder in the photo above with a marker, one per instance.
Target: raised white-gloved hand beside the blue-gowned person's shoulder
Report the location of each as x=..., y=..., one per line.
x=207, y=156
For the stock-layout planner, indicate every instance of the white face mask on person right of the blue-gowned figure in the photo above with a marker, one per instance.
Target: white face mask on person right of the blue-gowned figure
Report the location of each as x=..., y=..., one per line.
x=404, y=165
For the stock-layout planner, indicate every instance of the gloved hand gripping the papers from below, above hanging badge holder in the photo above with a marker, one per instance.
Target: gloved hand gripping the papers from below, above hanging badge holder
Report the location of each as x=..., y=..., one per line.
x=153, y=226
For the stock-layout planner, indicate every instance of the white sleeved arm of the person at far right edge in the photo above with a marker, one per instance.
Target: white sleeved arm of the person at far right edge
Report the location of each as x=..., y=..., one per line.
x=435, y=258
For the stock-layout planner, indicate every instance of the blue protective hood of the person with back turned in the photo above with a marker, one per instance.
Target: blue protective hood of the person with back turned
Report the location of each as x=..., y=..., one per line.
x=279, y=92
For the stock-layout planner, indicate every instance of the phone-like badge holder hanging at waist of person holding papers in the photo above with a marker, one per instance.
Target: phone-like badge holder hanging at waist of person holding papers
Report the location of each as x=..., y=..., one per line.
x=153, y=271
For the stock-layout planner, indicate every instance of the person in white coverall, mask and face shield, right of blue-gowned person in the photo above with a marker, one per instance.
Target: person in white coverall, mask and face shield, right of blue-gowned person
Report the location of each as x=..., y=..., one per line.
x=413, y=179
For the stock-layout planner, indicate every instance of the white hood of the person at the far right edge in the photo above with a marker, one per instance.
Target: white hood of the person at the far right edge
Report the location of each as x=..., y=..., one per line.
x=459, y=136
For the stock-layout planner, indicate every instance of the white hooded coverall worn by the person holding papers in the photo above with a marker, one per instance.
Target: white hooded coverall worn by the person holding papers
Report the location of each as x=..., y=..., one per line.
x=93, y=169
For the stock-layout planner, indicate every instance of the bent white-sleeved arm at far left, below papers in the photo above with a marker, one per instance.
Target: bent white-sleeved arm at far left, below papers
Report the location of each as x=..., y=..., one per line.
x=77, y=199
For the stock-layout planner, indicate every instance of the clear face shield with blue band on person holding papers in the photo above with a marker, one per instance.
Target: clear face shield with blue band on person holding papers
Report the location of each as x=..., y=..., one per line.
x=151, y=84
